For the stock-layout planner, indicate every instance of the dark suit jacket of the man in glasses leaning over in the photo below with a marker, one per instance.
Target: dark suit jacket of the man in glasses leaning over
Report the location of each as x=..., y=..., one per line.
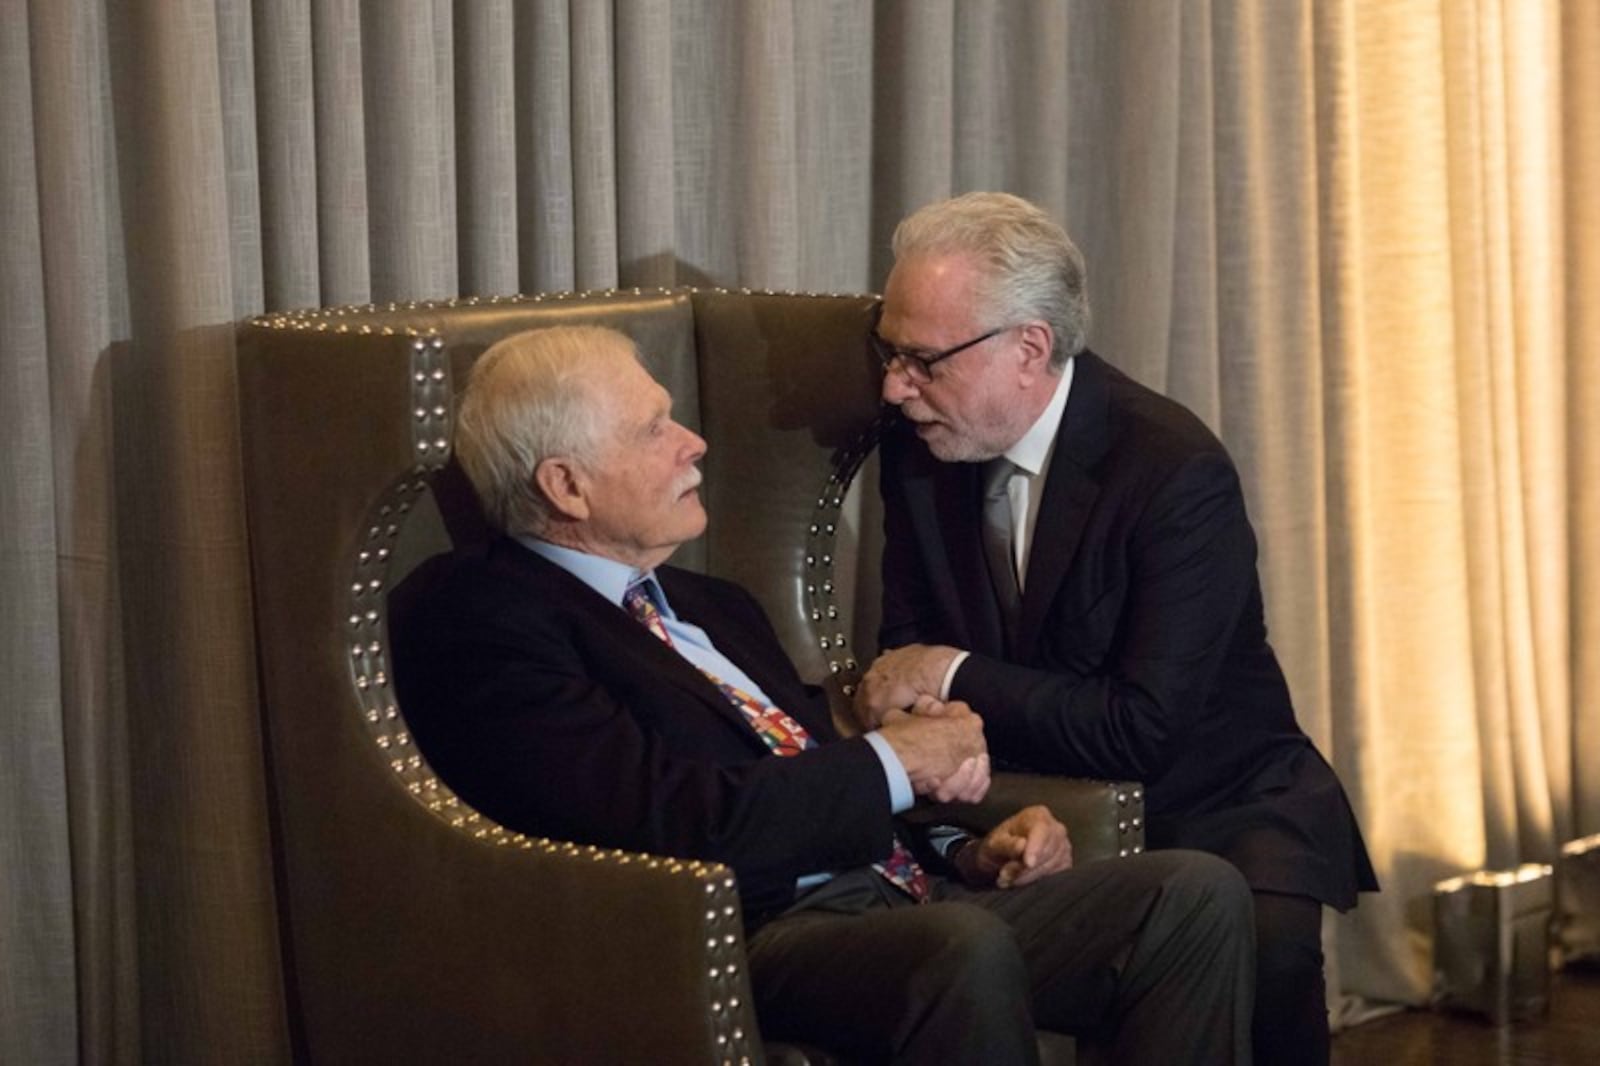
x=1142, y=651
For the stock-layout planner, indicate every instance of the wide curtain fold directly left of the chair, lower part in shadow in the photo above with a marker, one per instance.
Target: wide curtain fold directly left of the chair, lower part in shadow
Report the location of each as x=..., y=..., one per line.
x=204, y=904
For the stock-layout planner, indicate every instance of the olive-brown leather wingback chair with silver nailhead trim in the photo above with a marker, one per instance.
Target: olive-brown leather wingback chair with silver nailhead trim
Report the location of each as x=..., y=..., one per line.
x=417, y=931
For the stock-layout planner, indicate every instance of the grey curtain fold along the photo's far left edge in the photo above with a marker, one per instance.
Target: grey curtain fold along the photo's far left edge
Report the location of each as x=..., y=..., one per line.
x=36, y=897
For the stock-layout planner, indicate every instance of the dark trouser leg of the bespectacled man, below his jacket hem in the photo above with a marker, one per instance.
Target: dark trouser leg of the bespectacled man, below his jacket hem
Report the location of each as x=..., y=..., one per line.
x=1292, y=1000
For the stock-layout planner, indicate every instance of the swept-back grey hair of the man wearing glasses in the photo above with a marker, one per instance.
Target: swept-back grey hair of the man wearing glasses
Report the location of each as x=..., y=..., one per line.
x=1031, y=266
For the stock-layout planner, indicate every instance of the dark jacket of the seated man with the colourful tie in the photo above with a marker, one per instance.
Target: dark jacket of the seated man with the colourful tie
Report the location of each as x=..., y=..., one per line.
x=558, y=715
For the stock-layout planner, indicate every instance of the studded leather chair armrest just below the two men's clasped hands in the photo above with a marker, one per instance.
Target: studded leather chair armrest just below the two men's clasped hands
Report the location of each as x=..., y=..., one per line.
x=1103, y=819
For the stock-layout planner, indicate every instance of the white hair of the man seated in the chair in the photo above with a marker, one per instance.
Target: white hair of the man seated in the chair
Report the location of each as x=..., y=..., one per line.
x=532, y=396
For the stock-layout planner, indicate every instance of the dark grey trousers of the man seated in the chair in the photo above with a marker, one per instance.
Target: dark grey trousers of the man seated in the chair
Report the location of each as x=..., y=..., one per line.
x=1150, y=960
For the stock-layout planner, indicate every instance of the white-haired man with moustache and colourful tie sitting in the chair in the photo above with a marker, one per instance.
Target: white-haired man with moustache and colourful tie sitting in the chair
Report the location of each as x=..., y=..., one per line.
x=567, y=683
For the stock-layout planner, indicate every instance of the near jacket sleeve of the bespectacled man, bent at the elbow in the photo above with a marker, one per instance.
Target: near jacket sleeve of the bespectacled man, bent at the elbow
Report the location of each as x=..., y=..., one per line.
x=1126, y=679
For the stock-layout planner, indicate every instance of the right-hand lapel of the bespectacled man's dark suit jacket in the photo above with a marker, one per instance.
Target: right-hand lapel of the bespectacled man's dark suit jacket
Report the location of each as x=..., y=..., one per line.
x=1070, y=494
